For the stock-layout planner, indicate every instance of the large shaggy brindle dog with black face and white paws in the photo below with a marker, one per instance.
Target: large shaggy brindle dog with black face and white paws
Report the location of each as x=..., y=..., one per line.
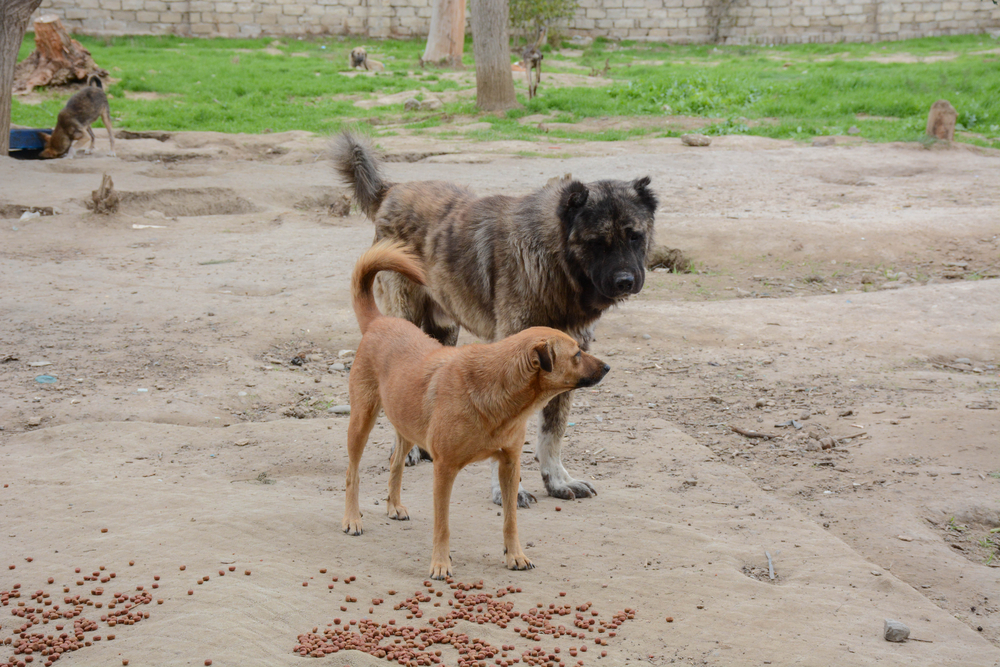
x=558, y=257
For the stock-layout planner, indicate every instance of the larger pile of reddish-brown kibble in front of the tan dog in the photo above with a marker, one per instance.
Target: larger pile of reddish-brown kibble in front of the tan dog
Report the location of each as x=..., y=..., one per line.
x=414, y=646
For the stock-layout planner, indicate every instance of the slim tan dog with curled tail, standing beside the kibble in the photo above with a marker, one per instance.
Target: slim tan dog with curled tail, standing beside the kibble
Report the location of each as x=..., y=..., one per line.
x=462, y=404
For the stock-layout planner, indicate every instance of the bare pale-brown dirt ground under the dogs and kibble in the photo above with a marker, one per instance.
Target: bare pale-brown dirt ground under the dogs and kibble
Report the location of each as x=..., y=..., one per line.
x=166, y=375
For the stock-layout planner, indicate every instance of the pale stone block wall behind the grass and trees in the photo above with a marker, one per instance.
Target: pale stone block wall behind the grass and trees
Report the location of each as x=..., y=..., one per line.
x=724, y=21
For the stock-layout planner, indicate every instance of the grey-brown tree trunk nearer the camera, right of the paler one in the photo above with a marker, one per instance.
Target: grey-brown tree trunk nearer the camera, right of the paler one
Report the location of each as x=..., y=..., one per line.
x=494, y=82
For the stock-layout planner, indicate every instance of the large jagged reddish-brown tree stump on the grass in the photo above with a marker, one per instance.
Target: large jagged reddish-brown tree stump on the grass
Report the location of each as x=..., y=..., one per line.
x=57, y=60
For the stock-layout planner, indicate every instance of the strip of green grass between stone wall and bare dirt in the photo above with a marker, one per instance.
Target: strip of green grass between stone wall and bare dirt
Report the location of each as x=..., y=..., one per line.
x=790, y=92
